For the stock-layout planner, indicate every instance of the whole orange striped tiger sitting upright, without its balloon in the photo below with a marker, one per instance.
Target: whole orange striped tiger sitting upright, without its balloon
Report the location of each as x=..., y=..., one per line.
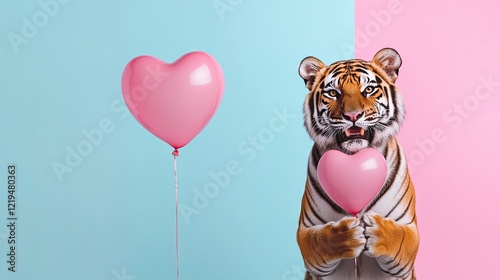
x=352, y=105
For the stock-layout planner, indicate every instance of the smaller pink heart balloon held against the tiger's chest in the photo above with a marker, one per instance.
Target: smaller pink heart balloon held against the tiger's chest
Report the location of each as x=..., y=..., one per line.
x=352, y=181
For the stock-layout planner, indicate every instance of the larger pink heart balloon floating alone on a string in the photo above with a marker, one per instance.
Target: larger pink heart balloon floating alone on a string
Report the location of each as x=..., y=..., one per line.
x=173, y=101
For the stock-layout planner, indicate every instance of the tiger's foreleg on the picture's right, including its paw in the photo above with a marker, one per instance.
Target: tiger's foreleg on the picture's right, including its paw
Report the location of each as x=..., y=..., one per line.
x=393, y=245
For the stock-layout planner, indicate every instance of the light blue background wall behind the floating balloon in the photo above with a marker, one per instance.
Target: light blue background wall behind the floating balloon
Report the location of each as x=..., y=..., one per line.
x=113, y=216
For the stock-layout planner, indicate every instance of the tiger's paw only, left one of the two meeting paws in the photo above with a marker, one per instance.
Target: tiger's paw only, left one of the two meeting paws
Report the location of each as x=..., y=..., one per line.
x=345, y=238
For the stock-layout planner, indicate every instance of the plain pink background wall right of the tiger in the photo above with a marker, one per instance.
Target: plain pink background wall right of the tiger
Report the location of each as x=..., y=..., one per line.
x=451, y=84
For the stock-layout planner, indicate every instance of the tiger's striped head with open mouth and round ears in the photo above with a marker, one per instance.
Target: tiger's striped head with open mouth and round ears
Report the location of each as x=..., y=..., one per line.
x=352, y=104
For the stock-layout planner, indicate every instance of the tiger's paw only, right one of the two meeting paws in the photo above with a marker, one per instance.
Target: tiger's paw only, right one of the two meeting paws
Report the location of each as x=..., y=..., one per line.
x=383, y=236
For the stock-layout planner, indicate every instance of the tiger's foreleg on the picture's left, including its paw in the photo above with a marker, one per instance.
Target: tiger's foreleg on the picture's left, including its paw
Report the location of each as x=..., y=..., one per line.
x=324, y=246
